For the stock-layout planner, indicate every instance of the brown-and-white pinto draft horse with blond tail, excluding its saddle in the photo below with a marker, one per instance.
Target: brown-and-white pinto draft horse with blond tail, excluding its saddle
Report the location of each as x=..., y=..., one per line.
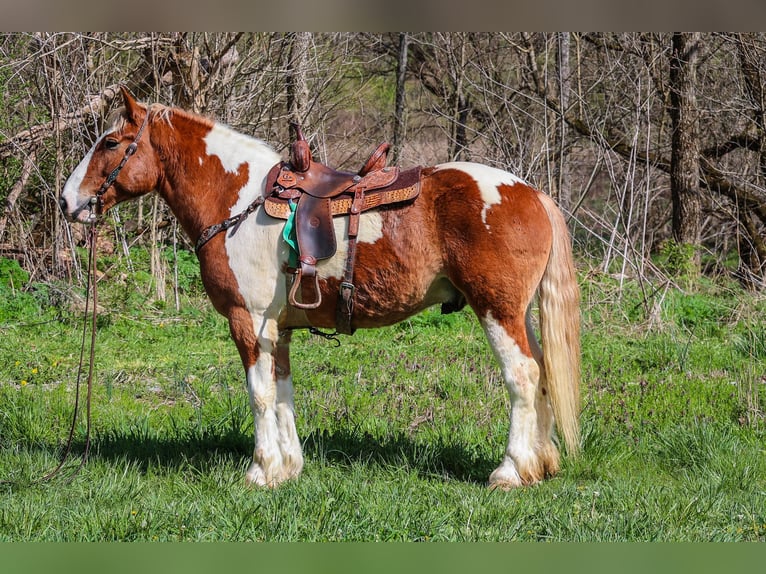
x=475, y=235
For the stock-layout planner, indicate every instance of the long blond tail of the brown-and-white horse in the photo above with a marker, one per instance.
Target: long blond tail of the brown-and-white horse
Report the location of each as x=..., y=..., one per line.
x=559, y=300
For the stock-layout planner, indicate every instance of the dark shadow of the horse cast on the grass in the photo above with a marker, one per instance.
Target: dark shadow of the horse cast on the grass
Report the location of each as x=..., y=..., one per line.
x=430, y=460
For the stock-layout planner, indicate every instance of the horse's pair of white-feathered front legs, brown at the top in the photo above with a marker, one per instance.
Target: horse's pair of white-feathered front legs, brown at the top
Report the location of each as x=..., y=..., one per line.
x=276, y=453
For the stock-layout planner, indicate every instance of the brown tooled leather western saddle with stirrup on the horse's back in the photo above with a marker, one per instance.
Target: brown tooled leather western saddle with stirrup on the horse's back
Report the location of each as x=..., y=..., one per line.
x=317, y=193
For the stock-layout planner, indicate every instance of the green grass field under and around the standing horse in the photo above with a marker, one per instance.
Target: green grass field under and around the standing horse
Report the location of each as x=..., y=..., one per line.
x=401, y=428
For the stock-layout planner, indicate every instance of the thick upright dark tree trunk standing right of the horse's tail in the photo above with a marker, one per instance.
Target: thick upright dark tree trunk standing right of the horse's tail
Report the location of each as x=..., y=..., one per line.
x=684, y=155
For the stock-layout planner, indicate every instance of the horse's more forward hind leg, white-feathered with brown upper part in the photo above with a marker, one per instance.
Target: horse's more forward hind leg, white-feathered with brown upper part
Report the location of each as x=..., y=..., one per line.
x=522, y=463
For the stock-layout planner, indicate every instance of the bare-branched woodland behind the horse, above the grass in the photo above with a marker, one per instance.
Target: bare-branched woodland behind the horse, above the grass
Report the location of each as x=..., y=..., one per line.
x=653, y=143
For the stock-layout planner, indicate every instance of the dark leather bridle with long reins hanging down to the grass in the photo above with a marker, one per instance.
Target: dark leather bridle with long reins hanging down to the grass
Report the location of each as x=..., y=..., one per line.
x=97, y=201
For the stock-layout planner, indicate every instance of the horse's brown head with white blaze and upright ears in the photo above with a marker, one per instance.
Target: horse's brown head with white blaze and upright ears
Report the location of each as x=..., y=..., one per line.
x=123, y=153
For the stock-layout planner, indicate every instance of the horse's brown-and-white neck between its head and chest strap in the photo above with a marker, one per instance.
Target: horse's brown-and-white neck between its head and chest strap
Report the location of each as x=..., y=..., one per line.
x=214, y=174
